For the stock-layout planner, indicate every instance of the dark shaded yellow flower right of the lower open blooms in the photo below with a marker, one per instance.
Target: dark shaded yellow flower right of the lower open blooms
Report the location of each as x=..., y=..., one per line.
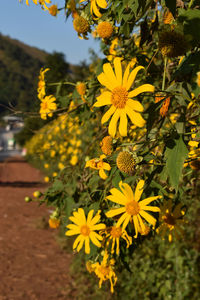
x=171, y=220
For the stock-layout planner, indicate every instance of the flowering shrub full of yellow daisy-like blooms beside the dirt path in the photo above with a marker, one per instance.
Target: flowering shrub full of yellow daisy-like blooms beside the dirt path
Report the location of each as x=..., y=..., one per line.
x=122, y=175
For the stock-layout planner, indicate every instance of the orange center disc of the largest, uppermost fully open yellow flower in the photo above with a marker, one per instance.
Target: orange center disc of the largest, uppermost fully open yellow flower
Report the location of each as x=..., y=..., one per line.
x=119, y=97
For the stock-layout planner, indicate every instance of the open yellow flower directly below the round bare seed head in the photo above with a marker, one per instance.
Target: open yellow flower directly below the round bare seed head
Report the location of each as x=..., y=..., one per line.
x=132, y=209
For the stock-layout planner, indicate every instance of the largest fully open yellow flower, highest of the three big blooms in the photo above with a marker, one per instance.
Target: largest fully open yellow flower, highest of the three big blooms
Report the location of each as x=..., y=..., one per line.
x=119, y=98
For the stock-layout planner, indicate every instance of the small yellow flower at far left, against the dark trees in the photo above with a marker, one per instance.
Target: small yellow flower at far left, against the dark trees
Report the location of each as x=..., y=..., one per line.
x=47, y=106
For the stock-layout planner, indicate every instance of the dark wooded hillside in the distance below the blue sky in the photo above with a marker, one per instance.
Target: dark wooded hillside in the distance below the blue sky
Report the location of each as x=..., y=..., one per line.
x=19, y=69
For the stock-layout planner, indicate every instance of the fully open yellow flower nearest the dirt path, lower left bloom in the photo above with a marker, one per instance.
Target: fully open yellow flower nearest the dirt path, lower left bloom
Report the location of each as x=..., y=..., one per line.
x=85, y=228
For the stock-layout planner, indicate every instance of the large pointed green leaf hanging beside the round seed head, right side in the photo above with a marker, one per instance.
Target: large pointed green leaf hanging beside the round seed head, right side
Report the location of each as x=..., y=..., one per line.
x=175, y=154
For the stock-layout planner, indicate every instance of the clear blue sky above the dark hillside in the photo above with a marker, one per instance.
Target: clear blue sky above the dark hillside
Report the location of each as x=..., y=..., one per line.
x=35, y=27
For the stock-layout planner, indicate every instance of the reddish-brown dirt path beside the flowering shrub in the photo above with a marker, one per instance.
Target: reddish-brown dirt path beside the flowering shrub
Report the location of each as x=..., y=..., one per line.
x=32, y=265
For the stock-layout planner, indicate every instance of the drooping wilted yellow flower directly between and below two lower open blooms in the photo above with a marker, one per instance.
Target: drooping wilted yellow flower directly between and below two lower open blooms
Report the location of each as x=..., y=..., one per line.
x=114, y=234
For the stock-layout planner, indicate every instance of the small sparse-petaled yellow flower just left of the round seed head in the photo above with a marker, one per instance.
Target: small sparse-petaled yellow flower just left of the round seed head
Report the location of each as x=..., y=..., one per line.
x=98, y=164
